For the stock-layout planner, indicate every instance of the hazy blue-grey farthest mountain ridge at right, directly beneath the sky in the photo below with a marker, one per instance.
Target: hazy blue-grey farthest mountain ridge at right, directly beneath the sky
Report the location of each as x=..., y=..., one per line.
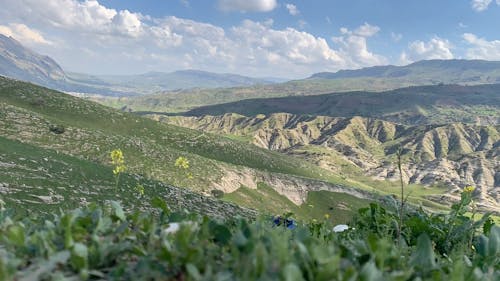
x=427, y=72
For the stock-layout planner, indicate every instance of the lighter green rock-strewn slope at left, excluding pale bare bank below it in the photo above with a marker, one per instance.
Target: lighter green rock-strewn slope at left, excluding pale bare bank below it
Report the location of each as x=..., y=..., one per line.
x=150, y=148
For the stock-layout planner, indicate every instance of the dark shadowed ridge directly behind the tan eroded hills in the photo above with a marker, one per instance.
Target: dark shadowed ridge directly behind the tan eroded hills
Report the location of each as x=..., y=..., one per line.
x=438, y=104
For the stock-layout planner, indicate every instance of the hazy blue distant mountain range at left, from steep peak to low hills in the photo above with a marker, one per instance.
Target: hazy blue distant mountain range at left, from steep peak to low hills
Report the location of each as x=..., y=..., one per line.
x=19, y=62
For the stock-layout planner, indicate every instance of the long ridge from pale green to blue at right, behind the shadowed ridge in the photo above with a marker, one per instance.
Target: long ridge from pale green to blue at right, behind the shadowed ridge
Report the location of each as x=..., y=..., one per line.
x=371, y=79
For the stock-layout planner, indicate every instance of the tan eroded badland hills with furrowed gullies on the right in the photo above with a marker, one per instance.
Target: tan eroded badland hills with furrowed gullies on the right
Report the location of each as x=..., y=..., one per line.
x=454, y=154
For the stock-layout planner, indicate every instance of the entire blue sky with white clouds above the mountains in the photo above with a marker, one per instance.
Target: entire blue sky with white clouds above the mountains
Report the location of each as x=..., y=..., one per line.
x=260, y=38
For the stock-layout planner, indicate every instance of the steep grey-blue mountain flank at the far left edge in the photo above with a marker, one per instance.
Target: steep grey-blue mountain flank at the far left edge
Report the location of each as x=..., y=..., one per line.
x=18, y=62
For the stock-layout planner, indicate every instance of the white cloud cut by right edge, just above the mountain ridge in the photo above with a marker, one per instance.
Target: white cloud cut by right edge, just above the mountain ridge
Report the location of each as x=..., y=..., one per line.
x=481, y=48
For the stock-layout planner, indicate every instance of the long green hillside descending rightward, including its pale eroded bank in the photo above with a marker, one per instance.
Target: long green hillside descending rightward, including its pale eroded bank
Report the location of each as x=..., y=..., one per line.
x=90, y=131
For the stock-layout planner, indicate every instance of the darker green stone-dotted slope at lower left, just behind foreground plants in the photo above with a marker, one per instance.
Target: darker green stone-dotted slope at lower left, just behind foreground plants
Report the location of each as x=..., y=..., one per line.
x=44, y=180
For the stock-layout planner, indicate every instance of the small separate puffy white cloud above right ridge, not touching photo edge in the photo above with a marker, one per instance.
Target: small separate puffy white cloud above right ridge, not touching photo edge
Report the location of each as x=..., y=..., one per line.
x=436, y=48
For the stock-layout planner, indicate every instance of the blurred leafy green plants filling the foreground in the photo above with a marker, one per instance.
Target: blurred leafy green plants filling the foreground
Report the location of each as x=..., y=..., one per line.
x=108, y=242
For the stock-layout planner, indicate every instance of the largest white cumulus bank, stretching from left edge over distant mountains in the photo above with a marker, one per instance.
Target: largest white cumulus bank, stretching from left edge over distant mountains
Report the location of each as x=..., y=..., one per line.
x=121, y=41
